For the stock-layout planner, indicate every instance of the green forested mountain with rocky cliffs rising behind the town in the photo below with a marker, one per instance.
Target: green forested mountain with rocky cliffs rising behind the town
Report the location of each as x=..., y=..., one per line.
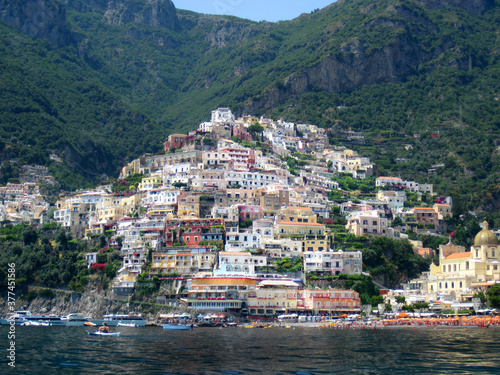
x=99, y=82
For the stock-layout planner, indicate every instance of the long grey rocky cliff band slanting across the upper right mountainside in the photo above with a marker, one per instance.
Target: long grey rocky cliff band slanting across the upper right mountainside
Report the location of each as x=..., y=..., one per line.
x=356, y=64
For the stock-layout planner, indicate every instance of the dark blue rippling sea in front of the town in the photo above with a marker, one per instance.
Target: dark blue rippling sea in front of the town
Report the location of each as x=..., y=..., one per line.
x=151, y=350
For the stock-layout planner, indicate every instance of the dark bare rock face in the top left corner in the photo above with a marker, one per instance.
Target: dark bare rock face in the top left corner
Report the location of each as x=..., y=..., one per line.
x=44, y=19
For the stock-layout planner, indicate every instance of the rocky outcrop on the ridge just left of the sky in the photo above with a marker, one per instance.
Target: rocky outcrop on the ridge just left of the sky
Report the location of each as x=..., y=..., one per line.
x=156, y=13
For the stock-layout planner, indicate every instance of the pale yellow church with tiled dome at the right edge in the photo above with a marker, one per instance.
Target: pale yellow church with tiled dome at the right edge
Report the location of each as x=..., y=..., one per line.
x=459, y=273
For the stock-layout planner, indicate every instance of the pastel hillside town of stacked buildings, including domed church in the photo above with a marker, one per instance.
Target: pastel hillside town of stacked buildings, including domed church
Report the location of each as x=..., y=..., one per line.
x=222, y=205
